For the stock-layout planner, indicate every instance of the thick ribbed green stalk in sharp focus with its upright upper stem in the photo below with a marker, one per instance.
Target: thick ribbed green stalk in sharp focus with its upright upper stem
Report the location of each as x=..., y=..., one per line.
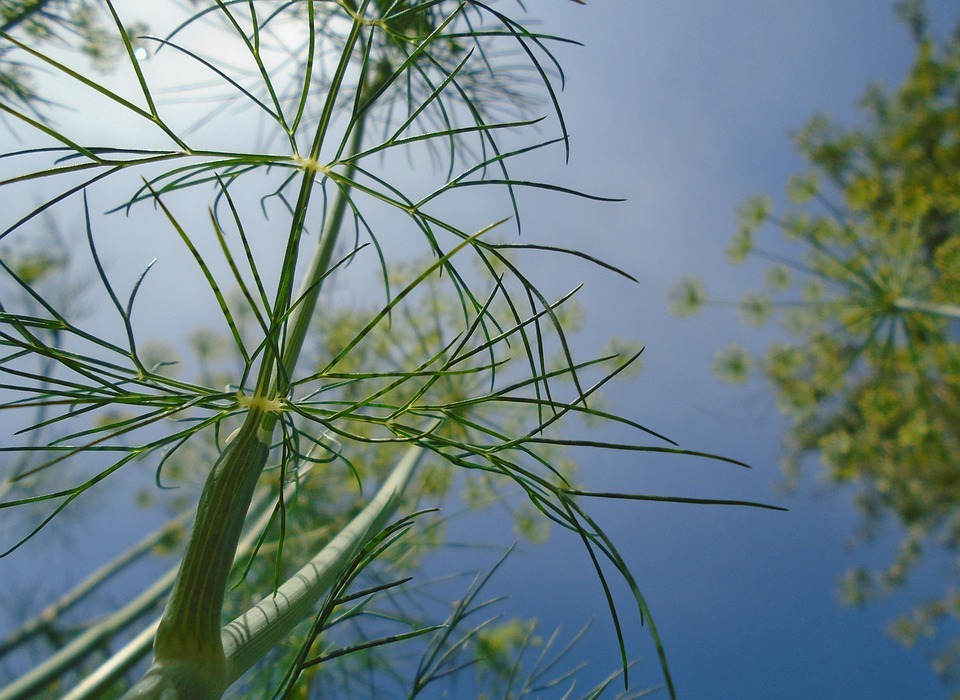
x=189, y=659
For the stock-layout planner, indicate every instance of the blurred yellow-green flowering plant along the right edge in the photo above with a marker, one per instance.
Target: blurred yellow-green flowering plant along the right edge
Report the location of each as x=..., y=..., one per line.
x=866, y=284
